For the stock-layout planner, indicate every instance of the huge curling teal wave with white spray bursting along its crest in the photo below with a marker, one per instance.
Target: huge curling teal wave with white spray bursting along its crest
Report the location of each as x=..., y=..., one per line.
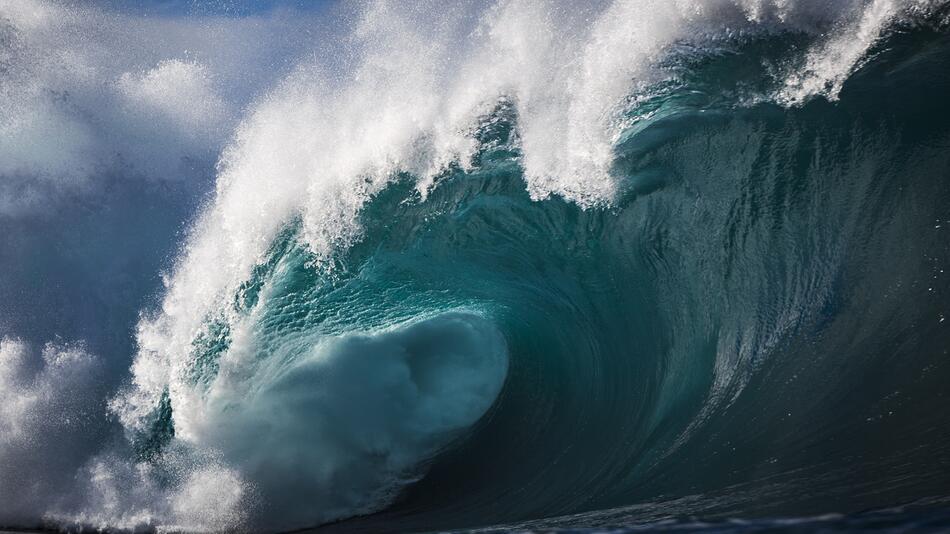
x=534, y=262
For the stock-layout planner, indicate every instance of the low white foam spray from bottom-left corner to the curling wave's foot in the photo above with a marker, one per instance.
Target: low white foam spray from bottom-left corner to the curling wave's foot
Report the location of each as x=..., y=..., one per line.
x=51, y=412
